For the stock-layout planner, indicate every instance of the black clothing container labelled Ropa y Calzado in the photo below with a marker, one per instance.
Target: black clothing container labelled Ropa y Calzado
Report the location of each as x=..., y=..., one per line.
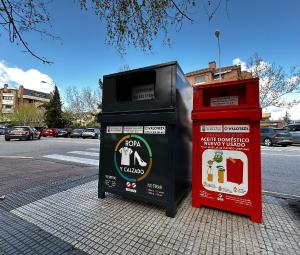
x=145, y=151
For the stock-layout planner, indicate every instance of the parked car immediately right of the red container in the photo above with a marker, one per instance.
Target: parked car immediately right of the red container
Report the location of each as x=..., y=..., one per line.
x=270, y=136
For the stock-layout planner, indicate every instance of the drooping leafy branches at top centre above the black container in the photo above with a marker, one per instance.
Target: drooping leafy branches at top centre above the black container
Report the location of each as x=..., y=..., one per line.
x=133, y=22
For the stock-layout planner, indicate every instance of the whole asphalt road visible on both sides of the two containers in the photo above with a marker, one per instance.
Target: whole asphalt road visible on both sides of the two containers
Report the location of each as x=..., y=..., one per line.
x=24, y=163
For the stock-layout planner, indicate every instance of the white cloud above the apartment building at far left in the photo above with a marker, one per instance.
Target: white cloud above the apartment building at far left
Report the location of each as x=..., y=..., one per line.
x=30, y=79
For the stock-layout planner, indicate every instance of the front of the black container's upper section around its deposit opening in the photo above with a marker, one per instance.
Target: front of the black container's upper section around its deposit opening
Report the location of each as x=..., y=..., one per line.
x=118, y=89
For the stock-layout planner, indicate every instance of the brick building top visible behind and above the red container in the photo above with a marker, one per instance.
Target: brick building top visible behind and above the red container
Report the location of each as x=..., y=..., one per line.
x=213, y=74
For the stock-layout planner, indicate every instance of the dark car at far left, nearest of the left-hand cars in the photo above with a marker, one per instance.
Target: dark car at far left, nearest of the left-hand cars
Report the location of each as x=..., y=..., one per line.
x=22, y=133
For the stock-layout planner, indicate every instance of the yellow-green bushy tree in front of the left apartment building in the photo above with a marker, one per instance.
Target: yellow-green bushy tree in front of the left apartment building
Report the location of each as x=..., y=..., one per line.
x=27, y=115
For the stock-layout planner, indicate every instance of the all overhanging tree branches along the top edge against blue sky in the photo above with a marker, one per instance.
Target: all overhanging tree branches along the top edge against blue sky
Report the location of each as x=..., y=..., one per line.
x=128, y=22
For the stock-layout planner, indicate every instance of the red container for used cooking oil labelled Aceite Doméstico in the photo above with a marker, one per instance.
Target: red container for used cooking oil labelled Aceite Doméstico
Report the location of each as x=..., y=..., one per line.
x=226, y=147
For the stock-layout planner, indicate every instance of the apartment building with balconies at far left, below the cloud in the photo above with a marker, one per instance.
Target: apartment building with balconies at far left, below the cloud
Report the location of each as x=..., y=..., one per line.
x=12, y=97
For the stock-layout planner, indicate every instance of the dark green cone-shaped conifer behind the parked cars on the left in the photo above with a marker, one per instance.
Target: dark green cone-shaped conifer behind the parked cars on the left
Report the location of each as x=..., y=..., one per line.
x=53, y=114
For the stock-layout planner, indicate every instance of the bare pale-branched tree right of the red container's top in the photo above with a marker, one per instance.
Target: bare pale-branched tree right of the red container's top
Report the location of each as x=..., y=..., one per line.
x=274, y=82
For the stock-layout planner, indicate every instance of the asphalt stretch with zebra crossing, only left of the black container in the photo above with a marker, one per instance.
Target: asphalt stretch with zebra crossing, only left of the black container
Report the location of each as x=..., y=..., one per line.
x=25, y=164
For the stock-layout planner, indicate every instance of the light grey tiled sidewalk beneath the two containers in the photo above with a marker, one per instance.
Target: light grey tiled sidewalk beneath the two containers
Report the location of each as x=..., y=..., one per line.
x=120, y=226
